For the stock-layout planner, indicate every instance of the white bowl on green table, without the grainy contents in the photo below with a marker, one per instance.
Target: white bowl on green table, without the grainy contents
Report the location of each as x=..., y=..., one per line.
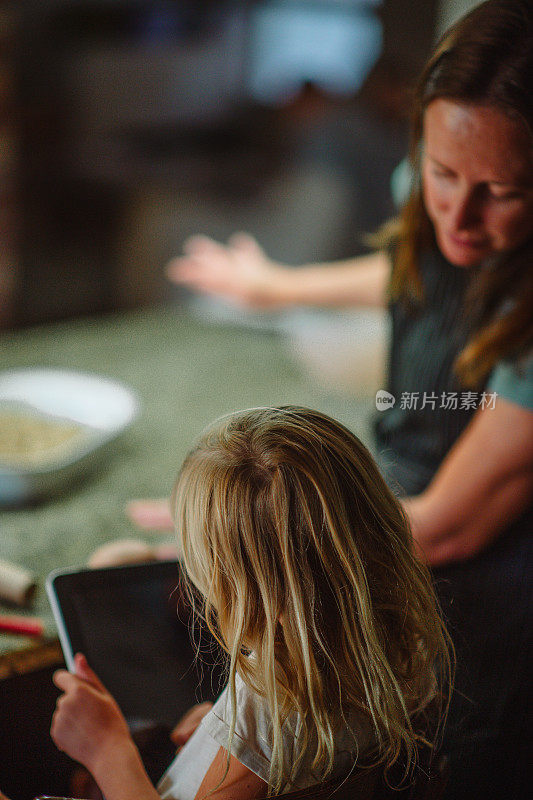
x=103, y=407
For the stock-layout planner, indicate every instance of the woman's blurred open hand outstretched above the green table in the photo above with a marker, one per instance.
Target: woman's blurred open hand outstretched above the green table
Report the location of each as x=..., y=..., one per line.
x=238, y=271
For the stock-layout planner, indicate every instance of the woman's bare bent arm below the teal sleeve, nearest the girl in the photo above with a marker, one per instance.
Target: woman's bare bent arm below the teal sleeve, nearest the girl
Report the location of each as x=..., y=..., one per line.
x=483, y=484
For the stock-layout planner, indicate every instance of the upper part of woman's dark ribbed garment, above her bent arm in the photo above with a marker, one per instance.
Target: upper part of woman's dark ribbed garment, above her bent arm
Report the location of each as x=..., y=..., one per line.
x=431, y=408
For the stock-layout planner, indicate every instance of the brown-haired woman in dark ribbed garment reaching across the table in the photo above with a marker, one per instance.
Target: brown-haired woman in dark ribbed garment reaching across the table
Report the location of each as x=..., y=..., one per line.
x=457, y=276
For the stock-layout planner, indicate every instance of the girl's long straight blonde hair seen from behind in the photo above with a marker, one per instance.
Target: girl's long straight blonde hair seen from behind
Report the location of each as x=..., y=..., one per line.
x=304, y=564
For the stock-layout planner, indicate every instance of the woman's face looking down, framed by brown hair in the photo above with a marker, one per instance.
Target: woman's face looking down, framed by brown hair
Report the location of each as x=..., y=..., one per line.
x=477, y=174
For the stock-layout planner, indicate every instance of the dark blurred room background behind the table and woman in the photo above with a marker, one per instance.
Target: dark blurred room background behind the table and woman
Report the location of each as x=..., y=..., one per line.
x=126, y=125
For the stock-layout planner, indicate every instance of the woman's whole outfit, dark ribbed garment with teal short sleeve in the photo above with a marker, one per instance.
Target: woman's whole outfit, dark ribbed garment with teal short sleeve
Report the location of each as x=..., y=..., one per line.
x=486, y=600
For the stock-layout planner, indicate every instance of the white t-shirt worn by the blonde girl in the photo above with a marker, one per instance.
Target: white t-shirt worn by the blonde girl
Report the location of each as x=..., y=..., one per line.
x=251, y=745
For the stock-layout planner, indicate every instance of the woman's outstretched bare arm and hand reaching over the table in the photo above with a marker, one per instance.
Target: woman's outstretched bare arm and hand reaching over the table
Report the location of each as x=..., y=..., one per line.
x=242, y=272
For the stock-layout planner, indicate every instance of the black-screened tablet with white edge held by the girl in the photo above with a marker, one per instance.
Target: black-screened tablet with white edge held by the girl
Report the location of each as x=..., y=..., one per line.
x=132, y=624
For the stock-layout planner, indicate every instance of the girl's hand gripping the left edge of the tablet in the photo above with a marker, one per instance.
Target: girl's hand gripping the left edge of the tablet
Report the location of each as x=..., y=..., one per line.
x=87, y=723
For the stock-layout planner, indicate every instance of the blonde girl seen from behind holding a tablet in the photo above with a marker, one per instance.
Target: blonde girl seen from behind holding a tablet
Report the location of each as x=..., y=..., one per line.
x=300, y=561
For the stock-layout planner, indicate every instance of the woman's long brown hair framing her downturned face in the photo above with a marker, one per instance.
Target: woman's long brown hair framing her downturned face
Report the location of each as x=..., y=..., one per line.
x=486, y=58
